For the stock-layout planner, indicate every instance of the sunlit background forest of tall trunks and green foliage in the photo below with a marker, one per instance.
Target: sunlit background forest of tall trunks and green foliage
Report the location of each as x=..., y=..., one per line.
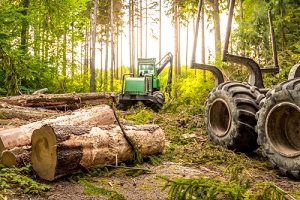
x=52, y=43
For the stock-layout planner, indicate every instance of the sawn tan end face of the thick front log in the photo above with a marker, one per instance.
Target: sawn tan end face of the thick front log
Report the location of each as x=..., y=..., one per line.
x=44, y=157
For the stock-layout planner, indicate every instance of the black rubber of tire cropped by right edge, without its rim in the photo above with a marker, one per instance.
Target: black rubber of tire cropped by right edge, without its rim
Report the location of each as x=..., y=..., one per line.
x=288, y=91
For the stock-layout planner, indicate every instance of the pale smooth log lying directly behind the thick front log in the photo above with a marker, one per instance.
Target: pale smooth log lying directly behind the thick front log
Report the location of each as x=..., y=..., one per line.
x=21, y=136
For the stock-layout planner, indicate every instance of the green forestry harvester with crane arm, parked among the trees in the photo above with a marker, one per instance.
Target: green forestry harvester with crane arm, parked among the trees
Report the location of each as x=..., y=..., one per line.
x=145, y=86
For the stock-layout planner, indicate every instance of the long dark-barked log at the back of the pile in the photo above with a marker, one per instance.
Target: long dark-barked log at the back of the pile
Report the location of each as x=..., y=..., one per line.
x=60, y=101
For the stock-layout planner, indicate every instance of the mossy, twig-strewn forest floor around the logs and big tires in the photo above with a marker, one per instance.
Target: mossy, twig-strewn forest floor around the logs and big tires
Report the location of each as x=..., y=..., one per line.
x=188, y=154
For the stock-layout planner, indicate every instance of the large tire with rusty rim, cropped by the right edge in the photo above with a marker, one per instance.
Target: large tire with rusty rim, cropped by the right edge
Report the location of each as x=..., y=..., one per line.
x=278, y=127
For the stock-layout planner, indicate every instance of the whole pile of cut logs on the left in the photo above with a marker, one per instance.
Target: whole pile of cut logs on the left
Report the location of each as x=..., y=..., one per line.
x=71, y=141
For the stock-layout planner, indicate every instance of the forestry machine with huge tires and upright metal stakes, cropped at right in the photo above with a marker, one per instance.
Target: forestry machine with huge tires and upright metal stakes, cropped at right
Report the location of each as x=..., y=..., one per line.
x=243, y=115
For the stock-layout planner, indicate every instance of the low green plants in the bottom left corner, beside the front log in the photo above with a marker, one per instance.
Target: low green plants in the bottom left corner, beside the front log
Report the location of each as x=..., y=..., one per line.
x=16, y=179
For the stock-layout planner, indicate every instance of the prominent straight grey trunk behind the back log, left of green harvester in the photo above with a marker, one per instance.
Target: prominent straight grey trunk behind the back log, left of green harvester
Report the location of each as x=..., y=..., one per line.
x=93, y=59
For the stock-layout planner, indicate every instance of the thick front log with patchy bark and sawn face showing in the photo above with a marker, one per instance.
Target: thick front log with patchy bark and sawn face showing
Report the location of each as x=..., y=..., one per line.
x=61, y=150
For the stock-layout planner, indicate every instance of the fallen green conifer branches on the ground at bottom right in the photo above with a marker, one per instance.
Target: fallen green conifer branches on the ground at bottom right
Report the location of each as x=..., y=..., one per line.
x=239, y=186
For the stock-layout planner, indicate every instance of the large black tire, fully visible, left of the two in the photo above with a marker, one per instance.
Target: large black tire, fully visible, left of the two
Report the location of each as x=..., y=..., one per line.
x=230, y=115
